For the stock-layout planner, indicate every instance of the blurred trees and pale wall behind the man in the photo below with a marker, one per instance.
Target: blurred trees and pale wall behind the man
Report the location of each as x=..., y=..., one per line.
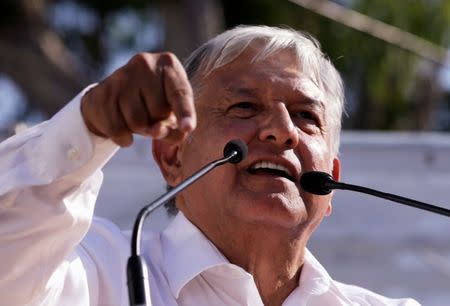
x=395, y=60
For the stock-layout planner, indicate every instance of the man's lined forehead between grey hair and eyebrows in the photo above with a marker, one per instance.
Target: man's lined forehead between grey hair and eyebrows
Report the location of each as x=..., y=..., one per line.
x=279, y=74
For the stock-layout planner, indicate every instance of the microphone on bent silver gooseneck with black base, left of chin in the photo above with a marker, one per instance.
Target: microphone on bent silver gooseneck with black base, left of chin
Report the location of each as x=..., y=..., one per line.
x=137, y=272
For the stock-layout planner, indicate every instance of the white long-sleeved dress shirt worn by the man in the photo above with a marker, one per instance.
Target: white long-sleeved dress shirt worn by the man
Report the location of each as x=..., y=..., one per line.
x=54, y=252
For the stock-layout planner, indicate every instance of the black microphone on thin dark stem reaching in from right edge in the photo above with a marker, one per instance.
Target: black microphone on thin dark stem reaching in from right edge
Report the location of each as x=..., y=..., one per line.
x=322, y=183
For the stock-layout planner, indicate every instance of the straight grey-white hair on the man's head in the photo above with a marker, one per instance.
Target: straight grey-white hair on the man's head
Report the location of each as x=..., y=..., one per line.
x=224, y=48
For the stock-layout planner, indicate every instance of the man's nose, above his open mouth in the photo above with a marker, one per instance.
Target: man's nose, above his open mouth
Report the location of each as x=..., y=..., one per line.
x=278, y=127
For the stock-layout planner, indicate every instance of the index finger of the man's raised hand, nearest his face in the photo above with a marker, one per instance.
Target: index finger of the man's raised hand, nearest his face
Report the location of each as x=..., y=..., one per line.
x=179, y=95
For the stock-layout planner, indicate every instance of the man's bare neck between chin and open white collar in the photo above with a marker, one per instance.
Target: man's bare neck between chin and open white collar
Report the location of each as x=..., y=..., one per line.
x=274, y=258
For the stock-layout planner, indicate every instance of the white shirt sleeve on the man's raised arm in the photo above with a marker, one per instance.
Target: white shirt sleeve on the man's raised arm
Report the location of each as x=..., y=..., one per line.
x=49, y=180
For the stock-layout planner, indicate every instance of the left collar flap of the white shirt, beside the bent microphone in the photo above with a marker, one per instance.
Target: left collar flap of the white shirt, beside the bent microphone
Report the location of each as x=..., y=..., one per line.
x=186, y=253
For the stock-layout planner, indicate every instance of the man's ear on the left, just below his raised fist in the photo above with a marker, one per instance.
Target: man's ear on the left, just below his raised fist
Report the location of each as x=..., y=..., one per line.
x=167, y=157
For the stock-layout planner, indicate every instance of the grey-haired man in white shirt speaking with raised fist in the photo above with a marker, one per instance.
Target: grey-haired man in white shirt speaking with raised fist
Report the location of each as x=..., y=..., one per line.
x=241, y=234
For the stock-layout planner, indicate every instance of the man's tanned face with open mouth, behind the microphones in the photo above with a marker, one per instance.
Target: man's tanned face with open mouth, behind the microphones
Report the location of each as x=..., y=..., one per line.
x=282, y=116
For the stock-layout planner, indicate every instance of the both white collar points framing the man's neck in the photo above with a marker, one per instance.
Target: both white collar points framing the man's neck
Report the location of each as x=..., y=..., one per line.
x=187, y=253
